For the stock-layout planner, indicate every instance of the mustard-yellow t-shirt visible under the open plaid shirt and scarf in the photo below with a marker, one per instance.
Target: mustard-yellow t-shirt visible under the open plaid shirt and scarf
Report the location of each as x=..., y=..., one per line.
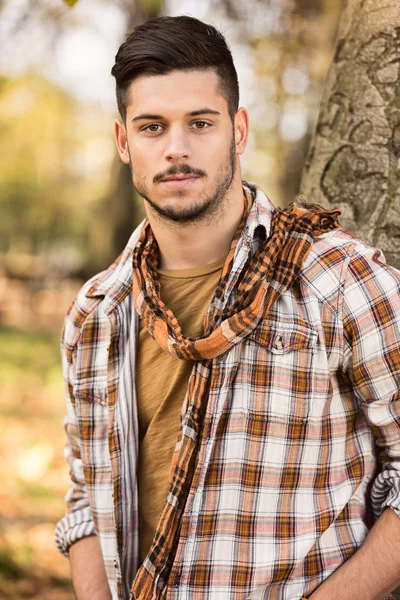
x=162, y=381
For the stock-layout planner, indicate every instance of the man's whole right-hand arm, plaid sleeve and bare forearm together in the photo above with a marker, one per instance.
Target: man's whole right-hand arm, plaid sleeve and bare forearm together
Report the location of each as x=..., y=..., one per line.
x=370, y=312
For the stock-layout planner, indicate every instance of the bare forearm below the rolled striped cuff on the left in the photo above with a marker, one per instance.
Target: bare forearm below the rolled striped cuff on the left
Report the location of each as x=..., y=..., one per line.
x=88, y=572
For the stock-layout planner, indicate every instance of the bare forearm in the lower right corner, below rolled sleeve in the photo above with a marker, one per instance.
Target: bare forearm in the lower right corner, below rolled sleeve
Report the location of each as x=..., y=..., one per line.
x=373, y=571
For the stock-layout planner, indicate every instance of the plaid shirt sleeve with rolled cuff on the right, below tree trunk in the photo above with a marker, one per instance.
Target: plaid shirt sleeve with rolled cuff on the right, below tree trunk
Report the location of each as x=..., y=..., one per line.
x=371, y=327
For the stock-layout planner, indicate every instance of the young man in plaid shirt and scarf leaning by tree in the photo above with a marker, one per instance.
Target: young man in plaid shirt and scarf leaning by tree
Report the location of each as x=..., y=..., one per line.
x=233, y=378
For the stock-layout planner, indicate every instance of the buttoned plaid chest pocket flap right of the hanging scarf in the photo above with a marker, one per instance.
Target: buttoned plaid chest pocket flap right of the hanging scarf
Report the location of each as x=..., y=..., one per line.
x=281, y=337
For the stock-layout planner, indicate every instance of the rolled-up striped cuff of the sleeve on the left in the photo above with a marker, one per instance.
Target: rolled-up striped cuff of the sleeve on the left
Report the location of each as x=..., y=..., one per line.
x=73, y=527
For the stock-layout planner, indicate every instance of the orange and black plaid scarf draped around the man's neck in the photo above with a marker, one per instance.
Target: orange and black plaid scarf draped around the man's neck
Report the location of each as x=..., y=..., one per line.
x=267, y=274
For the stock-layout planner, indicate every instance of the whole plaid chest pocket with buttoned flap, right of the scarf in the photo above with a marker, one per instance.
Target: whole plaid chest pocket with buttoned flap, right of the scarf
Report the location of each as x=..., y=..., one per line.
x=276, y=371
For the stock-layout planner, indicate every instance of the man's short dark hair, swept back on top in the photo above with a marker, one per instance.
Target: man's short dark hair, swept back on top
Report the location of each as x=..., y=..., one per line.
x=167, y=44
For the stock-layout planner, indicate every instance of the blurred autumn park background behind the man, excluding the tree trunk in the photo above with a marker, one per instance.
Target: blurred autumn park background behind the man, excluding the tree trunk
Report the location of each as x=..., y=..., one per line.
x=67, y=208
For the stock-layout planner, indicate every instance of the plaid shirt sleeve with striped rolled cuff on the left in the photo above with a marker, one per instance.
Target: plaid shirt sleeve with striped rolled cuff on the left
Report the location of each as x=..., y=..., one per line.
x=77, y=522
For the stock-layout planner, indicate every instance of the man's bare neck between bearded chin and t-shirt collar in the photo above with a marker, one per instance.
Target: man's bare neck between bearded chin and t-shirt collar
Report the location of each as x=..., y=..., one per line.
x=191, y=245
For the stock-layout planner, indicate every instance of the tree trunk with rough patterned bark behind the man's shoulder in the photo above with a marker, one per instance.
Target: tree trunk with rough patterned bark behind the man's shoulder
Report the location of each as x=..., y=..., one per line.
x=354, y=159
